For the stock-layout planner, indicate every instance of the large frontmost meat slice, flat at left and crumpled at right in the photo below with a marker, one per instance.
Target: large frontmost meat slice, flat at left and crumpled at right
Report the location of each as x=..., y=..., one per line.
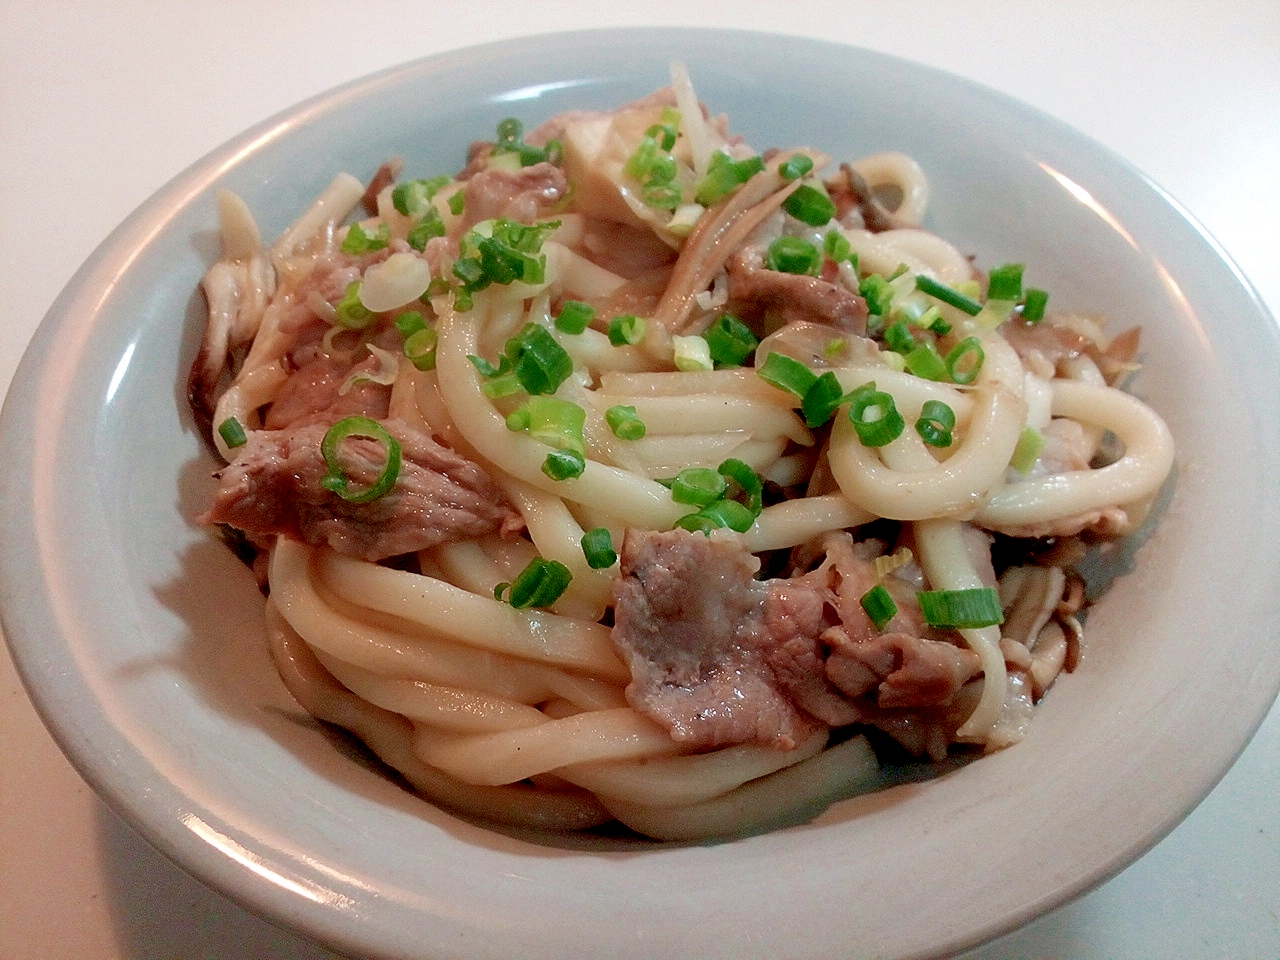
x=719, y=657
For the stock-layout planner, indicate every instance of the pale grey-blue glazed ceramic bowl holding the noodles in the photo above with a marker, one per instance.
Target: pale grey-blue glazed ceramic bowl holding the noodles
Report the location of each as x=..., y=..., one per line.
x=140, y=638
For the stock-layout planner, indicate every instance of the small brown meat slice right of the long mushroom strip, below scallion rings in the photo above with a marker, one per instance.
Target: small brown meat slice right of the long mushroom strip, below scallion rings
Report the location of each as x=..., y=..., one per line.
x=784, y=299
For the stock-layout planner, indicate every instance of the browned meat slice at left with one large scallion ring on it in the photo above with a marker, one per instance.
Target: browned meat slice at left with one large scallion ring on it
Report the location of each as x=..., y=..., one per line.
x=273, y=487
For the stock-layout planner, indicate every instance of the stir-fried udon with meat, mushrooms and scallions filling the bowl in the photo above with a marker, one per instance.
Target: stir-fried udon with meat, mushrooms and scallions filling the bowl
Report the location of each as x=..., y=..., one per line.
x=632, y=474
